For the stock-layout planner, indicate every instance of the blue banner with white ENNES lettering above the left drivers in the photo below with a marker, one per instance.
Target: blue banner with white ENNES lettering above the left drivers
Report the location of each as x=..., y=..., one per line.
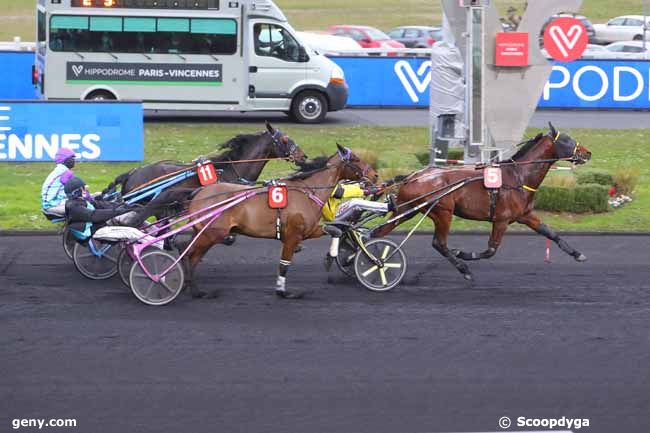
x=96, y=131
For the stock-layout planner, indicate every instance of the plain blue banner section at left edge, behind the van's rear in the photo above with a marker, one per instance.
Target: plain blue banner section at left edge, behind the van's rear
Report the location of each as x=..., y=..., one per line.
x=16, y=75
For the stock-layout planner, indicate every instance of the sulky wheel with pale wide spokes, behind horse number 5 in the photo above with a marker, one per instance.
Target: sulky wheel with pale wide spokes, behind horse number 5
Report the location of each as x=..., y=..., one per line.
x=389, y=272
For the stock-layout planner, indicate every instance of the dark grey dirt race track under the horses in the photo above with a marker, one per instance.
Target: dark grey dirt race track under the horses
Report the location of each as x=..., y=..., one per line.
x=528, y=339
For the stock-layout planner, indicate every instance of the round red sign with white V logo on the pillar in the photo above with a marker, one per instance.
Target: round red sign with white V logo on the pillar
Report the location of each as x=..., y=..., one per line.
x=565, y=39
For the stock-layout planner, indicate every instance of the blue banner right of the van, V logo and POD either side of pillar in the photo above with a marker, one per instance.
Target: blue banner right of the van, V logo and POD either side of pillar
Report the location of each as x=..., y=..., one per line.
x=605, y=84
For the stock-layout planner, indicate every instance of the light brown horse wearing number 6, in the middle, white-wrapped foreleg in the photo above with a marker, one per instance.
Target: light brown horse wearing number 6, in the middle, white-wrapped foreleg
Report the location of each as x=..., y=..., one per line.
x=308, y=190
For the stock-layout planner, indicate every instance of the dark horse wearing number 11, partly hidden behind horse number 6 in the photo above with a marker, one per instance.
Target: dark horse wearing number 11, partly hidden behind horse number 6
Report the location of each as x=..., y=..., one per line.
x=271, y=143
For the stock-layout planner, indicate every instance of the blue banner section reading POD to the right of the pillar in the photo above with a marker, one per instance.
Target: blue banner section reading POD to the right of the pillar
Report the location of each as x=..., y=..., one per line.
x=598, y=84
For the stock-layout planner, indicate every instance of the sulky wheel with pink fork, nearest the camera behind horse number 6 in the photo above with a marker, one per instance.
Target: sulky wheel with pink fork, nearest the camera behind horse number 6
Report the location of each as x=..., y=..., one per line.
x=163, y=291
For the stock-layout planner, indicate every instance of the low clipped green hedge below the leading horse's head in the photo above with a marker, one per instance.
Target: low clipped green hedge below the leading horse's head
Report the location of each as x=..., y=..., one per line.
x=576, y=199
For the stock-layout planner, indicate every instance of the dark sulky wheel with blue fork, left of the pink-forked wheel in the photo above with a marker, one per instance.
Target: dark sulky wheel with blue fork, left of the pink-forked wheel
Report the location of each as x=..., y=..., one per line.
x=96, y=260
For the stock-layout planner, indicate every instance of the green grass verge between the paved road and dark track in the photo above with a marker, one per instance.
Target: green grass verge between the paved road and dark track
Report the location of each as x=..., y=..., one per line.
x=394, y=147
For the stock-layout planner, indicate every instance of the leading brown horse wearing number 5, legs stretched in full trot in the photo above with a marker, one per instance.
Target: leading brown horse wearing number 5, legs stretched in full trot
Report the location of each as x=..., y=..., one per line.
x=469, y=199
